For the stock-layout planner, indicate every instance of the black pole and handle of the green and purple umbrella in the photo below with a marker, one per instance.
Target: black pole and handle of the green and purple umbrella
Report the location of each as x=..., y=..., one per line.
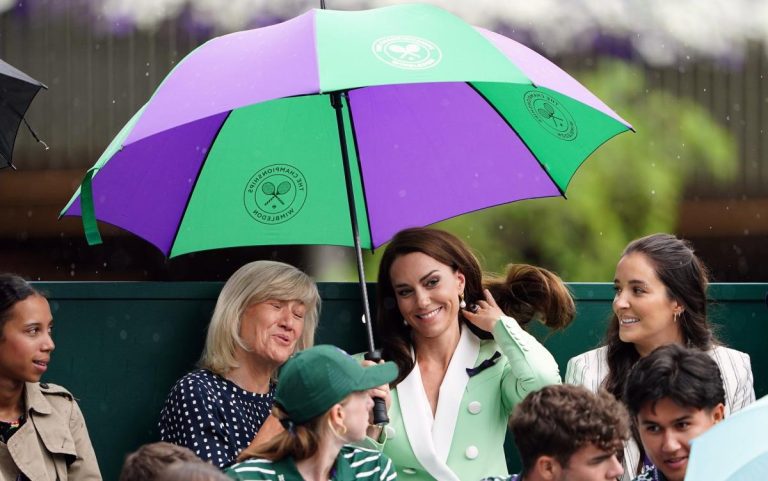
x=379, y=408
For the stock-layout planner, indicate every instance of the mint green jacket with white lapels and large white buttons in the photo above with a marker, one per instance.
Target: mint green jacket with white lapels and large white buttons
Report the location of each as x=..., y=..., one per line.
x=465, y=439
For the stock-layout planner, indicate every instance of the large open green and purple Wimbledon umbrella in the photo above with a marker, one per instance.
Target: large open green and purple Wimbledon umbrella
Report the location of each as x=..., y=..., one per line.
x=310, y=130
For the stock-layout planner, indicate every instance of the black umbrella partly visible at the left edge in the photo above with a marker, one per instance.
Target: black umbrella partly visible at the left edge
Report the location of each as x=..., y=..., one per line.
x=17, y=90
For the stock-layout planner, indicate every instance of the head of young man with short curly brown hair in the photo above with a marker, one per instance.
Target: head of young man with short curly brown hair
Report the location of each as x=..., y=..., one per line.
x=567, y=432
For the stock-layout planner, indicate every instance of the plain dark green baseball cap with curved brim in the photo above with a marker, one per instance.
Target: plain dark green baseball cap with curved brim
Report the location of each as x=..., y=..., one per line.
x=312, y=381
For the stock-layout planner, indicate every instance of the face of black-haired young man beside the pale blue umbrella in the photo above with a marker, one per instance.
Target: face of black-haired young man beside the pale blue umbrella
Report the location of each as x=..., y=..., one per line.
x=666, y=430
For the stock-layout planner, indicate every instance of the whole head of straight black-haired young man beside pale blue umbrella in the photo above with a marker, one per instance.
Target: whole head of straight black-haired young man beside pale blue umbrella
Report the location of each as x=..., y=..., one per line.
x=674, y=394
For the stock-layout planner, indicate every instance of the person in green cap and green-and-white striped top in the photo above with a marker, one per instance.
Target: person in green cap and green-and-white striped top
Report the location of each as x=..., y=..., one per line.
x=323, y=403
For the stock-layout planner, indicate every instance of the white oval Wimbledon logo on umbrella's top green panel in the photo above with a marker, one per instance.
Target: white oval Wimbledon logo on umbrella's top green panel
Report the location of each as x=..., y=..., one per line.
x=407, y=52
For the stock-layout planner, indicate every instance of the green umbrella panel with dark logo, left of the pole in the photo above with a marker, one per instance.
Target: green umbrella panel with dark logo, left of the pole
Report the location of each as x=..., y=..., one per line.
x=274, y=176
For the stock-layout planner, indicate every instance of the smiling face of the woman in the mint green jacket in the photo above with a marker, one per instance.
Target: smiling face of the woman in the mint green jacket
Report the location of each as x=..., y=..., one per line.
x=427, y=293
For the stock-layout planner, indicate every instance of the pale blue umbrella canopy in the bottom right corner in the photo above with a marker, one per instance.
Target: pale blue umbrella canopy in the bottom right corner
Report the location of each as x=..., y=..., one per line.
x=733, y=450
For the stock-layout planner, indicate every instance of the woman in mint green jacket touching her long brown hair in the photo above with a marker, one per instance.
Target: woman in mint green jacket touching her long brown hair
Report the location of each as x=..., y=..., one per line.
x=465, y=360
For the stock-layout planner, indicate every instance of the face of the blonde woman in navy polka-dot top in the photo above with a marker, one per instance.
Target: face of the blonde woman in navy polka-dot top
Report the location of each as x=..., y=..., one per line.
x=272, y=328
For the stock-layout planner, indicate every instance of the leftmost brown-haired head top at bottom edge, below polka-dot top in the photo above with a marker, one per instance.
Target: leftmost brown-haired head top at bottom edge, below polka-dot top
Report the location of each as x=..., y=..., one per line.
x=148, y=461
